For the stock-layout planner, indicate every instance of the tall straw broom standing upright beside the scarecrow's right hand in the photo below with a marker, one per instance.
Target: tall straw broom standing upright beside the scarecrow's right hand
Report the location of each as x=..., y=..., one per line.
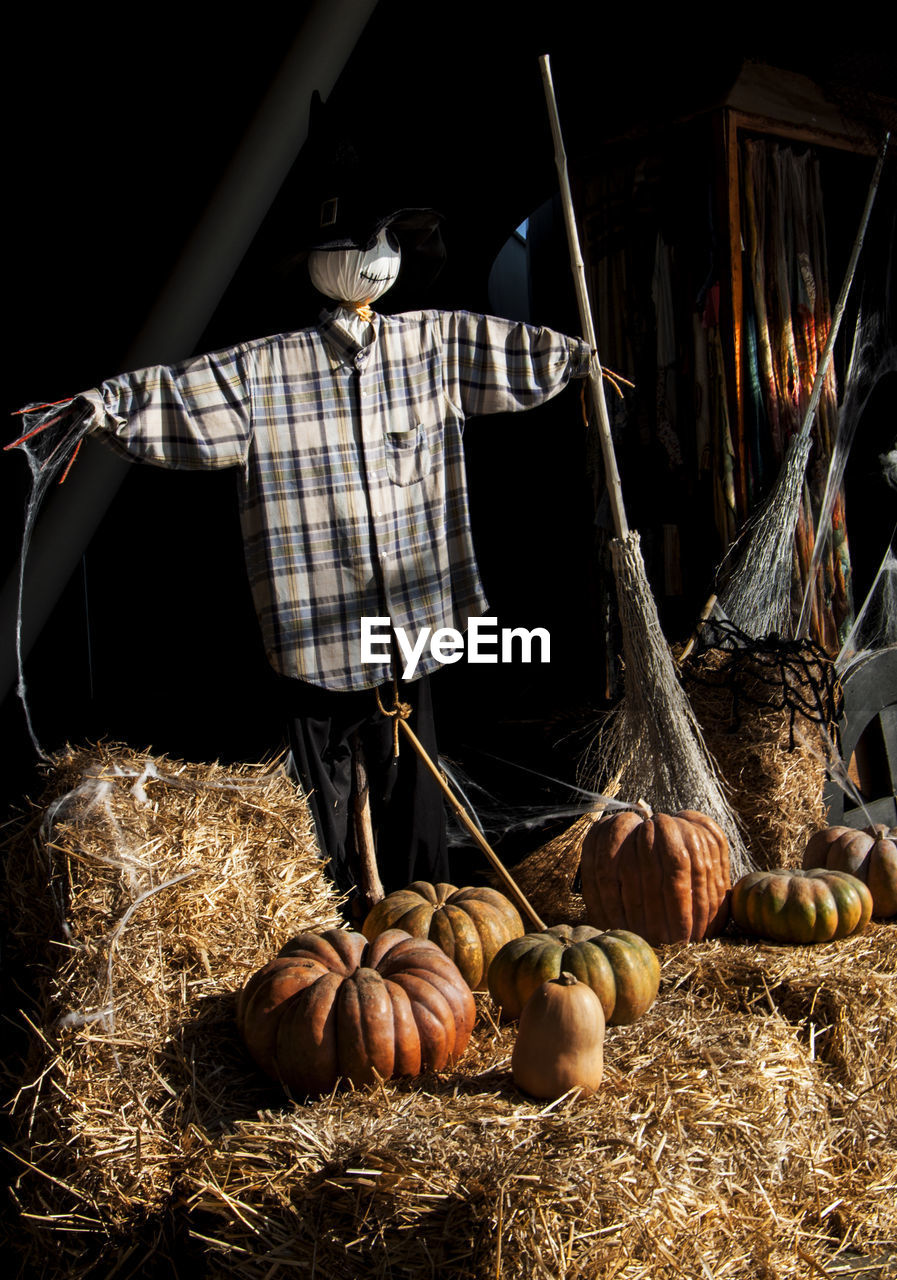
x=653, y=740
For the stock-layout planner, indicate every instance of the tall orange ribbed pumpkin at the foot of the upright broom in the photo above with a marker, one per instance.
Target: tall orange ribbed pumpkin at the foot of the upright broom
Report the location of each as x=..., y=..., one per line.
x=666, y=877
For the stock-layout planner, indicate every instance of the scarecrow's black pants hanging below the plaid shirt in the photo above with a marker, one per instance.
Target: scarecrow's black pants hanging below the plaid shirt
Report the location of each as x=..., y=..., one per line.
x=406, y=802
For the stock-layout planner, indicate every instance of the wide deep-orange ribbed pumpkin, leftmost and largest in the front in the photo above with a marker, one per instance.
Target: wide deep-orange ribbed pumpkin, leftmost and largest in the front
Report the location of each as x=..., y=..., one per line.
x=333, y=1005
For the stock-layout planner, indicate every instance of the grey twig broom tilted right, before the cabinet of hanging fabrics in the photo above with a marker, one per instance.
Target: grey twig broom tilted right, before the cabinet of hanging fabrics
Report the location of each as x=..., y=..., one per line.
x=758, y=595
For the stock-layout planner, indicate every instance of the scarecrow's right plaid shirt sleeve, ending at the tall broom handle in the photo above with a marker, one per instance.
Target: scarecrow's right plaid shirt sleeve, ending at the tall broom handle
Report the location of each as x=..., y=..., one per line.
x=500, y=367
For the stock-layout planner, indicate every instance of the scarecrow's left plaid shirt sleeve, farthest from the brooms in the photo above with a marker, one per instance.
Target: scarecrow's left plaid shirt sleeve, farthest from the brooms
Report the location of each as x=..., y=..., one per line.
x=193, y=415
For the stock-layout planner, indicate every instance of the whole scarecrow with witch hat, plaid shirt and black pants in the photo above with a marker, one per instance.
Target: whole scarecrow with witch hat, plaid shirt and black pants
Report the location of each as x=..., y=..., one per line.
x=347, y=438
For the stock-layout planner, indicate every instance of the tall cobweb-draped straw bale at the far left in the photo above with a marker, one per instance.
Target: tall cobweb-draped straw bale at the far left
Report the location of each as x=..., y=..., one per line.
x=141, y=895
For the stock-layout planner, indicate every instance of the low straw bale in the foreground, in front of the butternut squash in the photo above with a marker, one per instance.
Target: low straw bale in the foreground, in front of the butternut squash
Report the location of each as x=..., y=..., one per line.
x=740, y=1133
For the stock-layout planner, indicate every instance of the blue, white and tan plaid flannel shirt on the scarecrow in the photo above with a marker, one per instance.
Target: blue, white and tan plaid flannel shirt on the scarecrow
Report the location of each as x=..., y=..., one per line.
x=354, y=496
